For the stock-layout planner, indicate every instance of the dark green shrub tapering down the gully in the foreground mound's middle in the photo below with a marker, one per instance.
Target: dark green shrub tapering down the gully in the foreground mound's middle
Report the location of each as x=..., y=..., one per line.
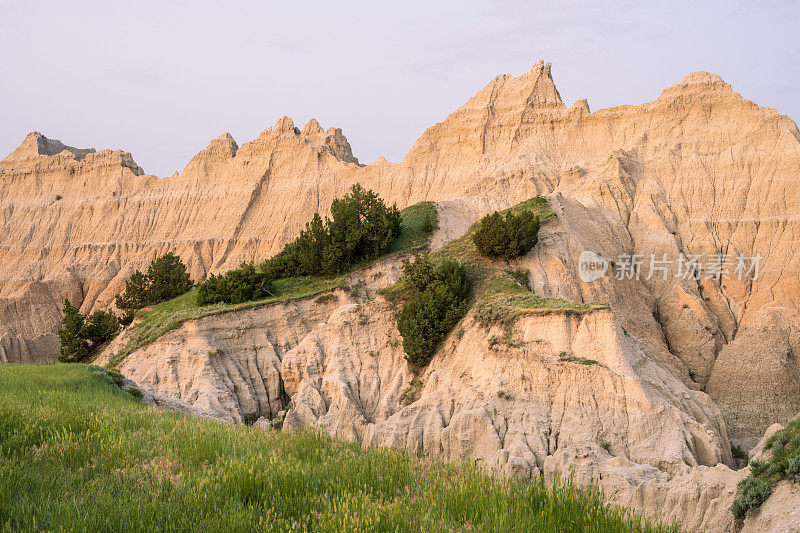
x=437, y=301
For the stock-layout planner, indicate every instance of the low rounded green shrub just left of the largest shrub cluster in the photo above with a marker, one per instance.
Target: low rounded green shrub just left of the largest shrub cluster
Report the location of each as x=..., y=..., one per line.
x=235, y=286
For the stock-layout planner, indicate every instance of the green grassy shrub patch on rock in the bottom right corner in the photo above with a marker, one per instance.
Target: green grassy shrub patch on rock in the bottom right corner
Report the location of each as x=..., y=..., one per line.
x=784, y=463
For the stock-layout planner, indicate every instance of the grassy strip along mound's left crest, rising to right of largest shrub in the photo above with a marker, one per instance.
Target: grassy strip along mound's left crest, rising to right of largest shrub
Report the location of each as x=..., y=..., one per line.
x=419, y=220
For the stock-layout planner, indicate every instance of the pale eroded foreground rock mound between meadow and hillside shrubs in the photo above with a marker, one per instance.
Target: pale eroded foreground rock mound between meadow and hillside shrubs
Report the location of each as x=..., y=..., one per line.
x=626, y=424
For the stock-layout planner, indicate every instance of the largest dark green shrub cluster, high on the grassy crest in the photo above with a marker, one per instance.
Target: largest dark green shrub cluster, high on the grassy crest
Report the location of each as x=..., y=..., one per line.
x=361, y=227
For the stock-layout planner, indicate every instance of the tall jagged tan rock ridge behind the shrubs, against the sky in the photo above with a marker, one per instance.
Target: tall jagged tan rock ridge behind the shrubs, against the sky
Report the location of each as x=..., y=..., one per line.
x=699, y=170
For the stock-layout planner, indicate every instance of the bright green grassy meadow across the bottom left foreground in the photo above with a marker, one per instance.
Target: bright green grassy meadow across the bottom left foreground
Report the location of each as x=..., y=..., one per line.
x=79, y=454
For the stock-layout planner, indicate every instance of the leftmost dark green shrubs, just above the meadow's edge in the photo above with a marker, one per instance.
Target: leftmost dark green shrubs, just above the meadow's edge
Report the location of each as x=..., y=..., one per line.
x=79, y=334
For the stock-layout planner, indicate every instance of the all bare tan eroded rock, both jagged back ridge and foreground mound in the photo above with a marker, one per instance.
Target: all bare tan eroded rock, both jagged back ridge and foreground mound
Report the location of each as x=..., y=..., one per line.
x=687, y=367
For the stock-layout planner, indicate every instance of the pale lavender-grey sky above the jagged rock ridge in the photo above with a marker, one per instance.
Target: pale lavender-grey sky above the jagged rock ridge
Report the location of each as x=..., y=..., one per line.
x=161, y=79
